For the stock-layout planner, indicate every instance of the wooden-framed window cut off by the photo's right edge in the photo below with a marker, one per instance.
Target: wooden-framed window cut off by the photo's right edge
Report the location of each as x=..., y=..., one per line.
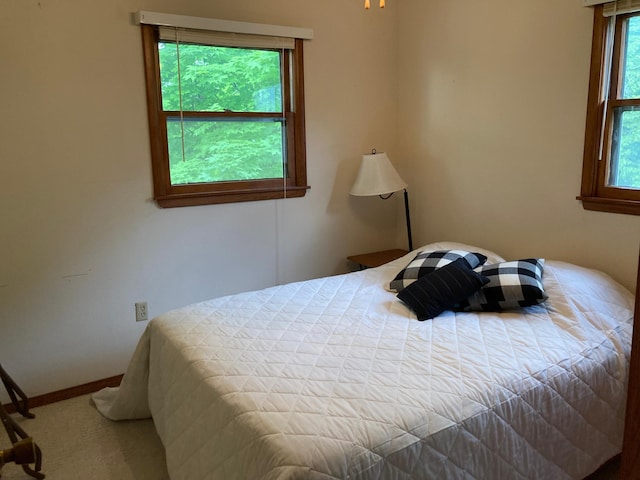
x=611, y=168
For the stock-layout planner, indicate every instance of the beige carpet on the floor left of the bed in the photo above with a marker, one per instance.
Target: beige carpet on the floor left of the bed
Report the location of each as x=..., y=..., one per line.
x=78, y=443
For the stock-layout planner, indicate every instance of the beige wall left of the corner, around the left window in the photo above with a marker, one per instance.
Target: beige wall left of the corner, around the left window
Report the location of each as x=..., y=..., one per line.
x=80, y=238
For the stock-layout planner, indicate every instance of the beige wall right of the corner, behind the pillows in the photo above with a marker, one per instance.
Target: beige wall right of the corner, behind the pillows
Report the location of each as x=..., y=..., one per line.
x=492, y=104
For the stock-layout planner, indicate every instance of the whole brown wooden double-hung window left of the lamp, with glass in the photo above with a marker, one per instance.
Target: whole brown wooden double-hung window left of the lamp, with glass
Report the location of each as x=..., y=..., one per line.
x=226, y=116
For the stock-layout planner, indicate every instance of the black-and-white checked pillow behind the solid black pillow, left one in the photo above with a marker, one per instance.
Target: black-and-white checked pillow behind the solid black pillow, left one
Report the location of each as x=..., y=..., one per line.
x=427, y=262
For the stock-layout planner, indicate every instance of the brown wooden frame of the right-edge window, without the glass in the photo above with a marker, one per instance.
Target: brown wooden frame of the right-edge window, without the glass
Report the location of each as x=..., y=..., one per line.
x=595, y=194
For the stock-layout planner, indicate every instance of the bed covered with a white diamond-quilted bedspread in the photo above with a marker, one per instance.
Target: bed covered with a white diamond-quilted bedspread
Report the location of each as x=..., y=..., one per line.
x=336, y=378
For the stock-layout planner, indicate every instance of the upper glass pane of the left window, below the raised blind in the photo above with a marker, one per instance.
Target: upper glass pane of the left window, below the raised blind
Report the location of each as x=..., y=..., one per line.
x=218, y=79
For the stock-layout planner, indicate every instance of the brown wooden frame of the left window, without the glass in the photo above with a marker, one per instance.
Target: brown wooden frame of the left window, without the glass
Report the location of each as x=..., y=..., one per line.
x=294, y=185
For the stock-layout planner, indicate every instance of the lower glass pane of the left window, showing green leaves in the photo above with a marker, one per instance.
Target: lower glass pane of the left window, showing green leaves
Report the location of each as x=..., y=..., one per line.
x=218, y=151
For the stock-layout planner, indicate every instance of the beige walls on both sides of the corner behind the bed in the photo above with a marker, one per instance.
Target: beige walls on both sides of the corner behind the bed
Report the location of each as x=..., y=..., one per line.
x=480, y=105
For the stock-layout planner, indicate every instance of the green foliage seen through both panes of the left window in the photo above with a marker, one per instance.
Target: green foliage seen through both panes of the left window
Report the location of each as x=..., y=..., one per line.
x=202, y=78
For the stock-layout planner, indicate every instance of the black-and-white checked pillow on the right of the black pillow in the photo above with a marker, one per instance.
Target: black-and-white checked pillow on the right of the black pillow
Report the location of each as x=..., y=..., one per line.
x=511, y=285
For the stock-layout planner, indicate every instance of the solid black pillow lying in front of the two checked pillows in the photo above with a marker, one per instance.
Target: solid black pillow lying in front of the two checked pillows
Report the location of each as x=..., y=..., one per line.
x=442, y=289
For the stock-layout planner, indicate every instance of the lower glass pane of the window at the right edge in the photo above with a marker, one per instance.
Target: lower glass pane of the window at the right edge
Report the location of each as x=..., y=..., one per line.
x=625, y=149
